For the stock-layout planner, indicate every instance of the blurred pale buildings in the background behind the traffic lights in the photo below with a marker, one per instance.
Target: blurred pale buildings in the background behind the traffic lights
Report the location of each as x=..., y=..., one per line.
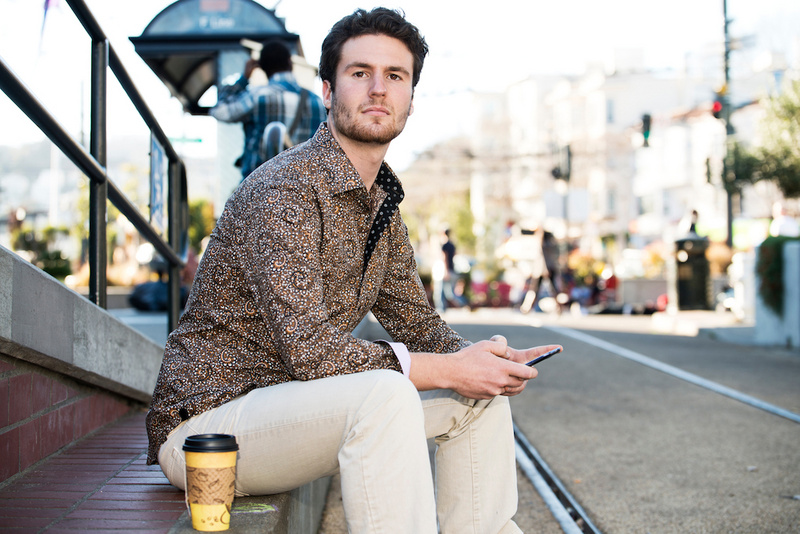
x=569, y=154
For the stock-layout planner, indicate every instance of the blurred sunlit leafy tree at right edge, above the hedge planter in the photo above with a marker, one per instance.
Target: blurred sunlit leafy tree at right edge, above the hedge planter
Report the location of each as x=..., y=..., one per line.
x=780, y=150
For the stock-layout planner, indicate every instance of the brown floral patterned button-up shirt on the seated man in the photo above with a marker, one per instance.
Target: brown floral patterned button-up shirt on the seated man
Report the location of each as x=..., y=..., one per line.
x=301, y=253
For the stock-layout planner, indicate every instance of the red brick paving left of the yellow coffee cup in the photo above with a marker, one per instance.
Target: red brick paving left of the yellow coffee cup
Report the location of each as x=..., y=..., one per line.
x=100, y=484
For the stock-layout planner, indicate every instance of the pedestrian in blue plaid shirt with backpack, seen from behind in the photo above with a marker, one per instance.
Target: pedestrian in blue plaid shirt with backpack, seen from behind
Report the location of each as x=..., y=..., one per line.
x=292, y=111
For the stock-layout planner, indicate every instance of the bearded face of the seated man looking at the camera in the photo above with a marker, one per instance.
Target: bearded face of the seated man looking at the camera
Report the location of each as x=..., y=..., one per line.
x=373, y=96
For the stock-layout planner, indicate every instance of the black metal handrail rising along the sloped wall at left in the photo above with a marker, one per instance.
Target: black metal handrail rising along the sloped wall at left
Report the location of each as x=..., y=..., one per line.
x=93, y=164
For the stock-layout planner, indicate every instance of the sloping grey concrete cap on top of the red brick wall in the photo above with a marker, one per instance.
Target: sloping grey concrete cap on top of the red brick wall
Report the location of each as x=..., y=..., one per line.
x=46, y=323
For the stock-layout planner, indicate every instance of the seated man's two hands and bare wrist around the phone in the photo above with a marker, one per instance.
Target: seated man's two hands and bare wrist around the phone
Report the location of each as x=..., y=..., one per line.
x=480, y=371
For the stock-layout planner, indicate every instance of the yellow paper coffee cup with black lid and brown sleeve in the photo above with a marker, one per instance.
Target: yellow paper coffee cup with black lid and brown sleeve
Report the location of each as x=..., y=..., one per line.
x=210, y=479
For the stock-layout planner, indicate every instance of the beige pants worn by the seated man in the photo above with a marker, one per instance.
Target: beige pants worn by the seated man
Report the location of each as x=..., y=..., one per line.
x=372, y=428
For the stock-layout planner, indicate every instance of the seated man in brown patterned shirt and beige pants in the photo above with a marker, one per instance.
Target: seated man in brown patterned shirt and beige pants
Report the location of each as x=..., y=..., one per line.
x=309, y=244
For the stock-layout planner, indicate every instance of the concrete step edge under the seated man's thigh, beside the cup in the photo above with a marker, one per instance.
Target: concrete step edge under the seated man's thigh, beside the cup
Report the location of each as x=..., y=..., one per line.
x=296, y=512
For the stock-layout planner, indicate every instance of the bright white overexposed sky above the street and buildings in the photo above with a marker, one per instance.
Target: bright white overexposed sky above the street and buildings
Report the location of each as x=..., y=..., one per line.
x=474, y=46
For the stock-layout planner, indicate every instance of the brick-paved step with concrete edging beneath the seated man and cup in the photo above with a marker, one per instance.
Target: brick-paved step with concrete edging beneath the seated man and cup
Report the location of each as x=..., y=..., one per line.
x=102, y=484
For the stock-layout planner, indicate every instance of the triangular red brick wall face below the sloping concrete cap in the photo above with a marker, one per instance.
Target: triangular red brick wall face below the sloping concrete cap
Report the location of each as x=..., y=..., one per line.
x=41, y=412
